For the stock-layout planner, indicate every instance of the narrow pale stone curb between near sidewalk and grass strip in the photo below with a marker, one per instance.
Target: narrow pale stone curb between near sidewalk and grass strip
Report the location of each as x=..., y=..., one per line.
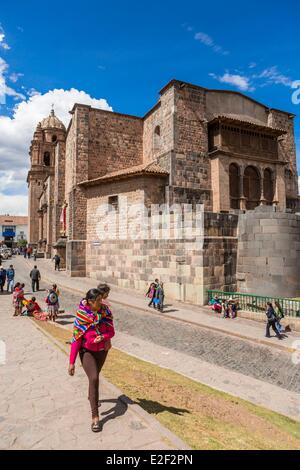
x=166, y=435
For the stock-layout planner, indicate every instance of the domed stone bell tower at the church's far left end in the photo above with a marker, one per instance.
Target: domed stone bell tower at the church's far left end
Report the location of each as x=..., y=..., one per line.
x=48, y=133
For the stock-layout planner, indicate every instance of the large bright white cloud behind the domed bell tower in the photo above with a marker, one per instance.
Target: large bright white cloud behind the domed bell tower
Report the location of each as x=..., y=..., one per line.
x=16, y=133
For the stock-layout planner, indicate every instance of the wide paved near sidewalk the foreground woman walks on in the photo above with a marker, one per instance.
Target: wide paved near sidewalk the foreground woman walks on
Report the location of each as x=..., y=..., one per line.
x=42, y=407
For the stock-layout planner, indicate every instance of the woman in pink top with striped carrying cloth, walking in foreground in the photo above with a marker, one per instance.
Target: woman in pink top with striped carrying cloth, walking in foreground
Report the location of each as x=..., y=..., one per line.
x=92, y=328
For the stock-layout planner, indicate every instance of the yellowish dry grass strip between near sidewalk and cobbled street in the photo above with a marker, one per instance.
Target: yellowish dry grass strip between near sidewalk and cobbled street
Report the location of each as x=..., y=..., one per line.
x=201, y=416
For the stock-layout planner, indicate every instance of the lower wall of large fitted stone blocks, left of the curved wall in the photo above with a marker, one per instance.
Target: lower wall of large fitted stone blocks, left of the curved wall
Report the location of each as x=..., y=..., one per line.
x=187, y=267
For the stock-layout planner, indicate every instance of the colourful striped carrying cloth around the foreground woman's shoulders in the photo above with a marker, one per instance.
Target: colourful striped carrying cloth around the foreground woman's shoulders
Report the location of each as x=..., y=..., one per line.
x=85, y=318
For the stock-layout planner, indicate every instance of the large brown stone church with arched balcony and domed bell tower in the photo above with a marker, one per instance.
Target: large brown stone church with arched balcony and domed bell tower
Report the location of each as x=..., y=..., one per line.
x=218, y=148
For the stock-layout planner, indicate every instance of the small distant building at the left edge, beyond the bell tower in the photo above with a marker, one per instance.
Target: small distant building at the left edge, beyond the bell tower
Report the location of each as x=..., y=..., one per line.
x=12, y=229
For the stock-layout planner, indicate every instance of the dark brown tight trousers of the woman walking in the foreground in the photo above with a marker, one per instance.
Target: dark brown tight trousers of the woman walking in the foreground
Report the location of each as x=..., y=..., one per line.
x=92, y=363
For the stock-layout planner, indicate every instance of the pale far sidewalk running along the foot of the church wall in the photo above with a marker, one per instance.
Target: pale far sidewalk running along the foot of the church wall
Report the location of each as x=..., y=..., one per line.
x=202, y=316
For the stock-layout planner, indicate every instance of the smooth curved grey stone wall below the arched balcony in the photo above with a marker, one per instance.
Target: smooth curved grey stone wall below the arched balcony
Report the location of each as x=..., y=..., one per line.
x=269, y=253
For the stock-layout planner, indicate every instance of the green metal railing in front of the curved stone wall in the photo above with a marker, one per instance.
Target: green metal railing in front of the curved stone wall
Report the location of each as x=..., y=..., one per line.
x=257, y=303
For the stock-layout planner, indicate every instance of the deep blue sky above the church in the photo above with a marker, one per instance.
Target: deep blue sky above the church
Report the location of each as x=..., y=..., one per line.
x=125, y=52
